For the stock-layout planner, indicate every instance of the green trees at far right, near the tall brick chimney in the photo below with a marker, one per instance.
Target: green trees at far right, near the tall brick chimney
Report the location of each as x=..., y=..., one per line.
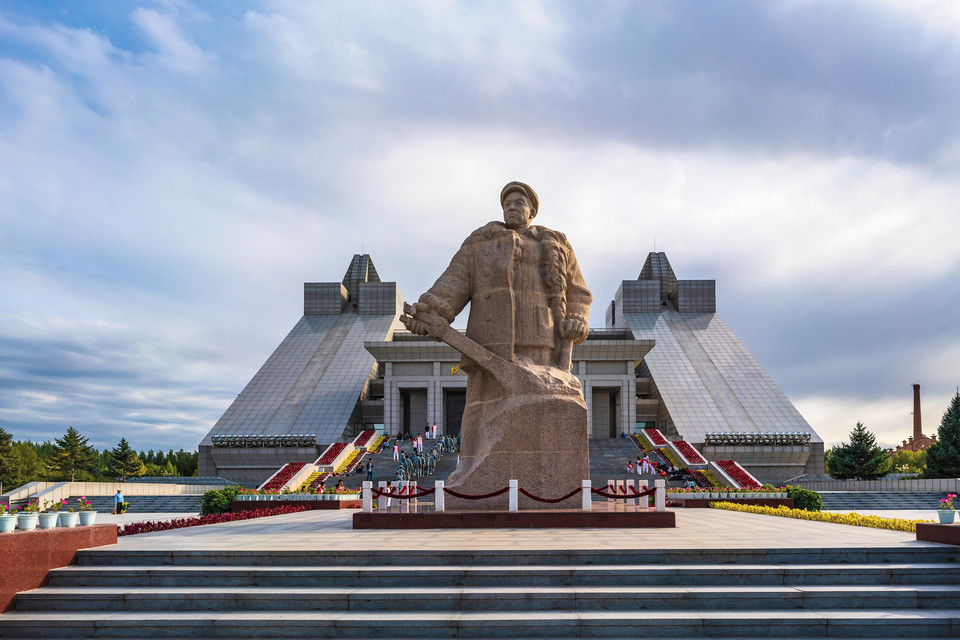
x=862, y=459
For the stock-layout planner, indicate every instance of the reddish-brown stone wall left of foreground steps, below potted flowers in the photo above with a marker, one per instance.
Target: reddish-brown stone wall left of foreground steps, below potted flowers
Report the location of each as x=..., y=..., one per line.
x=26, y=557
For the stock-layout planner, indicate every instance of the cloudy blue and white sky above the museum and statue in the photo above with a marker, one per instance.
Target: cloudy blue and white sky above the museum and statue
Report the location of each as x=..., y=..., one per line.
x=172, y=172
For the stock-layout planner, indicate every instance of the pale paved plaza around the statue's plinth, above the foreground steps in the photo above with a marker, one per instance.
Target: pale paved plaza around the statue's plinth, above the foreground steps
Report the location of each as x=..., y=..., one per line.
x=696, y=529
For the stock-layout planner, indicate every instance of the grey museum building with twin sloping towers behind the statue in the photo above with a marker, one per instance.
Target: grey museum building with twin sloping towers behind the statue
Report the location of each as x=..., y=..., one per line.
x=665, y=359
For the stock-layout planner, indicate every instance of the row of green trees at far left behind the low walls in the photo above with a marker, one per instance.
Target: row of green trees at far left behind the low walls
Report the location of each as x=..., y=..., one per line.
x=73, y=458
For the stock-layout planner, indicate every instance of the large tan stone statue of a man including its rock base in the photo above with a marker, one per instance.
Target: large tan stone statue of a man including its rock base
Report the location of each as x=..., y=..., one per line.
x=525, y=417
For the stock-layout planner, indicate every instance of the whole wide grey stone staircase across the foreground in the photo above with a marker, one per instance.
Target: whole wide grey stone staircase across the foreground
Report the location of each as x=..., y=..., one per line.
x=743, y=593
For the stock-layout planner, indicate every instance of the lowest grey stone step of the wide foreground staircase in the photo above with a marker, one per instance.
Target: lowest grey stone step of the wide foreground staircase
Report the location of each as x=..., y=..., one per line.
x=499, y=624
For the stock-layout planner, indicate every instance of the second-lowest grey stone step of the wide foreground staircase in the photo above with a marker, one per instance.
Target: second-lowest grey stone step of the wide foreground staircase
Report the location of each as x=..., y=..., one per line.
x=429, y=599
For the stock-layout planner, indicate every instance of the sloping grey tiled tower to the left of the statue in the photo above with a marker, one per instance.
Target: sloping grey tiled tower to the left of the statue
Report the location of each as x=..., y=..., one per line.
x=309, y=391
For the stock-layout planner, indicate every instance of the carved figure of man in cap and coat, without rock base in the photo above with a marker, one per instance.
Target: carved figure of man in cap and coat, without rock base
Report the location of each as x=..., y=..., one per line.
x=528, y=298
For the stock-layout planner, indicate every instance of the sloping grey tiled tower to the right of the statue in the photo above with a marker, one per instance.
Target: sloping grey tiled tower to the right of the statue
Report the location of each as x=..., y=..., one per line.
x=703, y=385
